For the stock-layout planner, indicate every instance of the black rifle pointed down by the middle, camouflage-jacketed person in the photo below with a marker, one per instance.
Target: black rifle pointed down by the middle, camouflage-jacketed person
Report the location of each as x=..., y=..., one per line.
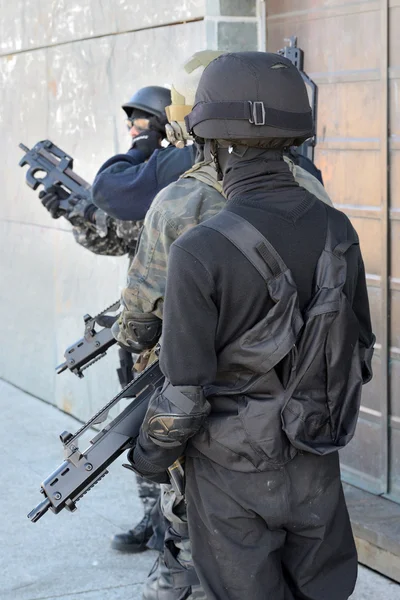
x=93, y=345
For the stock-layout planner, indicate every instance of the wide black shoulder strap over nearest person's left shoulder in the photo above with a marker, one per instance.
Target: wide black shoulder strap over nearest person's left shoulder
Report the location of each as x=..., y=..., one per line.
x=251, y=243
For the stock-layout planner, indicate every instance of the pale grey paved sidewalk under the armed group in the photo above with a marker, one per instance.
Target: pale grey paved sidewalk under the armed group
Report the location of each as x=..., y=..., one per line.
x=67, y=556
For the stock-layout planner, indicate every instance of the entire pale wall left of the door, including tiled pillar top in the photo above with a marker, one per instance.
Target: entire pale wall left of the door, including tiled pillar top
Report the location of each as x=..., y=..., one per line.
x=65, y=69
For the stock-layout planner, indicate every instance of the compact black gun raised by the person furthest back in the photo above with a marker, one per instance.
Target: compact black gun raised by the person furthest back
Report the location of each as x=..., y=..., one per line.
x=52, y=167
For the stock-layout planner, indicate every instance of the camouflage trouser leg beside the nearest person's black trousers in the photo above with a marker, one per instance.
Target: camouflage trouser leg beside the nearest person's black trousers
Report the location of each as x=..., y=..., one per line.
x=177, y=550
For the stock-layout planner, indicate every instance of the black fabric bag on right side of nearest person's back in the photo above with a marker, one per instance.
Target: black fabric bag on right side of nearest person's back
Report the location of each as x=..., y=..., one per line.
x=323, y=400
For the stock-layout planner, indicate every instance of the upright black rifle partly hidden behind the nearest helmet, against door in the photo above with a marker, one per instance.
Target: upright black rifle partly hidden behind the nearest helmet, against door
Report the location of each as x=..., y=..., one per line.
x=296, y=56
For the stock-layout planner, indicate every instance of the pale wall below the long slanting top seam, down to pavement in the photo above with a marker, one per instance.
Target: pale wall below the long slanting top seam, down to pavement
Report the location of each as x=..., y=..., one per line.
x=71, y=94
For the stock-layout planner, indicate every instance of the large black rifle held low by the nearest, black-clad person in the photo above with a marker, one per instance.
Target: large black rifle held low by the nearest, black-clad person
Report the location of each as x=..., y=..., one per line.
x=80, y=471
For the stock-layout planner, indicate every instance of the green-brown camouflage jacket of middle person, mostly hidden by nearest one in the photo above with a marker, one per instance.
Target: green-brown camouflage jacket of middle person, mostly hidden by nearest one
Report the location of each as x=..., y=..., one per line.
x=195, y=197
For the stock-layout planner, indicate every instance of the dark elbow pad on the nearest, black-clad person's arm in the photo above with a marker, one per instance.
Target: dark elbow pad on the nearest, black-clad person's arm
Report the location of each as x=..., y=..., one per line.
x=175, y=414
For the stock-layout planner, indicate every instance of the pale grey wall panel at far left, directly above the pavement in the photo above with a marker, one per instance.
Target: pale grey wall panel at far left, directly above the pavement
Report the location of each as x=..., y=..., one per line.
x=27, y=351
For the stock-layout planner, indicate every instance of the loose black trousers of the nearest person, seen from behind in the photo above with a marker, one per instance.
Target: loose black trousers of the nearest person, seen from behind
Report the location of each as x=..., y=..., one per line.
x=274, y=535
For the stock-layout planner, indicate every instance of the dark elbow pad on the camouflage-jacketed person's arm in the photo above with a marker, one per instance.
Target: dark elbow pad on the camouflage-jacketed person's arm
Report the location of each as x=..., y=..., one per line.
x=139, y=332
